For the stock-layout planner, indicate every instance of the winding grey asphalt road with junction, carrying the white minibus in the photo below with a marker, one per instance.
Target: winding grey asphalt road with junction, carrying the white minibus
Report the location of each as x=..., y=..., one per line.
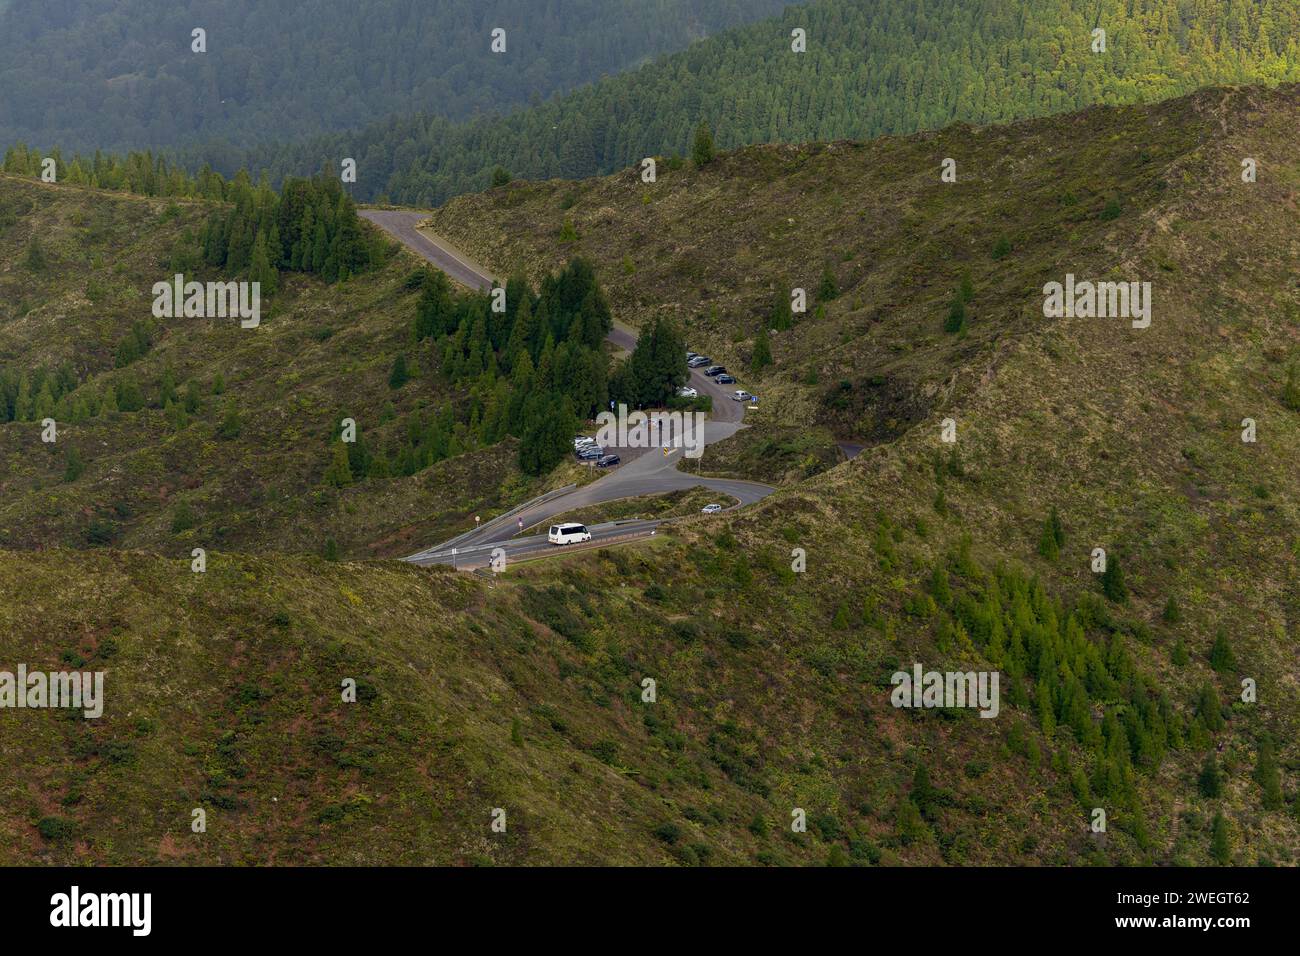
x=644, y=471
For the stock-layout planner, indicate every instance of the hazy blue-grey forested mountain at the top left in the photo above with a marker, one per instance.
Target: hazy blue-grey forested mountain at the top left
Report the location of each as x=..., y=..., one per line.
x=120, y=75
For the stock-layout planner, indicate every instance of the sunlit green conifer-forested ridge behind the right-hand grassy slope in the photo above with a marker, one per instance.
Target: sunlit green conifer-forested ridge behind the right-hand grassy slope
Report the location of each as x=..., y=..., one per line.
x=873, y=67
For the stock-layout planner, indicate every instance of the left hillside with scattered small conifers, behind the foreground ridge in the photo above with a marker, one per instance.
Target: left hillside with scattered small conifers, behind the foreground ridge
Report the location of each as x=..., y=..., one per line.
x=175, y=434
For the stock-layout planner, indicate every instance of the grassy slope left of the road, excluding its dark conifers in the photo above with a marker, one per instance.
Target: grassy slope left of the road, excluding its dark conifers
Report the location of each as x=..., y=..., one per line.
x=322, y=353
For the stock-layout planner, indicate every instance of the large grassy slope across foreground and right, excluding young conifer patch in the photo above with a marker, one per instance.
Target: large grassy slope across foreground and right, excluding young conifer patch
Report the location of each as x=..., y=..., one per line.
x=769, y=700
